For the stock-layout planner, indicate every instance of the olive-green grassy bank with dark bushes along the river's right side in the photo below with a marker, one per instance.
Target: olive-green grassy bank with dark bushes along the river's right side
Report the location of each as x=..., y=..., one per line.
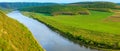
x=93, y=38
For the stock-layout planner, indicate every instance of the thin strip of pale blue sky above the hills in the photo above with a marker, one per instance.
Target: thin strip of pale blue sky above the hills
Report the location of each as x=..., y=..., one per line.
x=57, y=1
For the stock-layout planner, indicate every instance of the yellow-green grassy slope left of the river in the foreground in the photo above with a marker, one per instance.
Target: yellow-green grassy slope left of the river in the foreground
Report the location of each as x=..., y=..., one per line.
x=15, y=37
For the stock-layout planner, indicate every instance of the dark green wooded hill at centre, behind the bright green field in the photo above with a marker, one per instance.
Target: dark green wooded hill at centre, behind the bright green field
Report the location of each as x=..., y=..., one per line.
x=58, y=10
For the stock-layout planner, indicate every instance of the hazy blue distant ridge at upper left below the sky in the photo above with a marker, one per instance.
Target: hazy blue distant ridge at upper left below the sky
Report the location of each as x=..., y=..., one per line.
x=15, y=5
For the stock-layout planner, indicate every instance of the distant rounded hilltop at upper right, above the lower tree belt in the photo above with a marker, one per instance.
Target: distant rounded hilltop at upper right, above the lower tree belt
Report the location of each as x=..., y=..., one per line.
x=95, y=4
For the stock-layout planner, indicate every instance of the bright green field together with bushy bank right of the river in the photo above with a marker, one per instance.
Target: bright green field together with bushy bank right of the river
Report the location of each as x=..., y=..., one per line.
x=91, y=29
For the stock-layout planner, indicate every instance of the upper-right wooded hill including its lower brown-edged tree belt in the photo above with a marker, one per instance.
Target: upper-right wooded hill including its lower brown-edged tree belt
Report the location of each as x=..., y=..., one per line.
x=97, y=6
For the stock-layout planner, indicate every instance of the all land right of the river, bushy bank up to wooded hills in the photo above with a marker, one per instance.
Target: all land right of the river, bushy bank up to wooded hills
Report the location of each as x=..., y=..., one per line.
x=95, y=24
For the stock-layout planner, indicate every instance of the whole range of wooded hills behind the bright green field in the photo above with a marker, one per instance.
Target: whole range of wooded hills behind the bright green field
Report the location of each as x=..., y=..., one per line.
x=73, y=8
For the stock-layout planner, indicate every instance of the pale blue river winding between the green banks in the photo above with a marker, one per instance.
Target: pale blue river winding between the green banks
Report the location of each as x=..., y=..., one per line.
x=50, y=40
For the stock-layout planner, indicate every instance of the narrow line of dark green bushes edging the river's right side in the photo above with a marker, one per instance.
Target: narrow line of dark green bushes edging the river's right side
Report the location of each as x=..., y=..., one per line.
x=93, y=44
